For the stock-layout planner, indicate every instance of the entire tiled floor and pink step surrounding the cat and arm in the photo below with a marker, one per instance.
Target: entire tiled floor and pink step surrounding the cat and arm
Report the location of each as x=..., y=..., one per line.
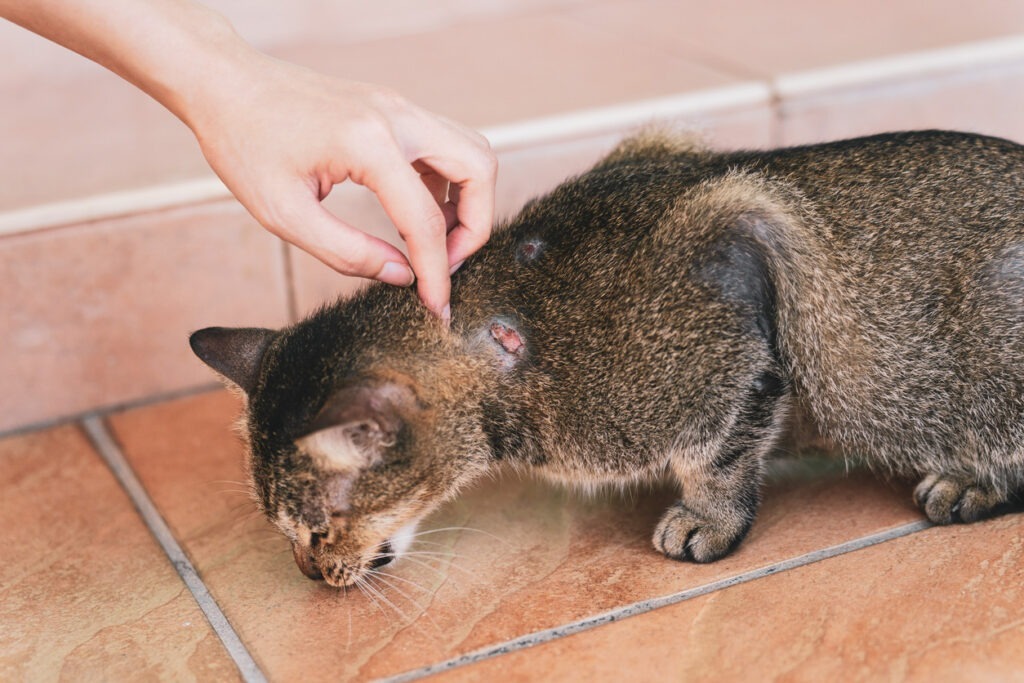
x=839, y=580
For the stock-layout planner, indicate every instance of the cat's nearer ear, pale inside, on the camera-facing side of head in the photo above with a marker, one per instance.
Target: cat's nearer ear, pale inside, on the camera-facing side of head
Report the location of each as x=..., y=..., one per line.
x=358, y=424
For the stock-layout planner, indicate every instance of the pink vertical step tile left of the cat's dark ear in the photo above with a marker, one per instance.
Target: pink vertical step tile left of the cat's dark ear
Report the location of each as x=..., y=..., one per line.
x=99, y=315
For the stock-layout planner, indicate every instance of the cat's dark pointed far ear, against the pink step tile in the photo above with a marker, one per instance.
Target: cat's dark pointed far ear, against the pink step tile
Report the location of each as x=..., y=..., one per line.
x=235, y=353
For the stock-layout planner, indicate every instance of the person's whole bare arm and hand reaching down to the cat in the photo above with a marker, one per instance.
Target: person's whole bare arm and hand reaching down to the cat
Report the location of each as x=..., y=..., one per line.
x=281, y=137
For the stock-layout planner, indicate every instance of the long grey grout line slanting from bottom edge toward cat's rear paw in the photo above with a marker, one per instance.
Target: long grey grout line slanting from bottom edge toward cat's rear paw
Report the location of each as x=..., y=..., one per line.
x=645, y=607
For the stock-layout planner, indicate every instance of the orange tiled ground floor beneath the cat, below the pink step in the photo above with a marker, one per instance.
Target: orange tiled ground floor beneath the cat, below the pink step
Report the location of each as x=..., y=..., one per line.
x=808, y=596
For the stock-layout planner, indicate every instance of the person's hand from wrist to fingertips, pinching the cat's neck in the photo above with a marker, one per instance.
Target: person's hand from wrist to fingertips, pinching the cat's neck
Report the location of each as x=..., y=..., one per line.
x=281, y=137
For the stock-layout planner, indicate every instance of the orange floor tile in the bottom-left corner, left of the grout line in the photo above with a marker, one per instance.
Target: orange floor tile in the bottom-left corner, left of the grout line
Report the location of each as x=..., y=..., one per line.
x=86, y=592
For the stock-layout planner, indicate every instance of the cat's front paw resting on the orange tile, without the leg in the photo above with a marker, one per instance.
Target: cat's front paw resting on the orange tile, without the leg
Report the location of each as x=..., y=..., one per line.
x=684, y=535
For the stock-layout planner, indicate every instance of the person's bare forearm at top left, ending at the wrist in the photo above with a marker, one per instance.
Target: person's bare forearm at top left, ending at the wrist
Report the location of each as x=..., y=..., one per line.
x=175, y=51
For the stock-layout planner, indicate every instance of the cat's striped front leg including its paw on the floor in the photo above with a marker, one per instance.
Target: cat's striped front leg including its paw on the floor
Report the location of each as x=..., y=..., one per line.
x=721, y=483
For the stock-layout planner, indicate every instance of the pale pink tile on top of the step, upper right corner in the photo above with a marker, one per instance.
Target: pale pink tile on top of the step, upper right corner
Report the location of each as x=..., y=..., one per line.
x=773, y=39
